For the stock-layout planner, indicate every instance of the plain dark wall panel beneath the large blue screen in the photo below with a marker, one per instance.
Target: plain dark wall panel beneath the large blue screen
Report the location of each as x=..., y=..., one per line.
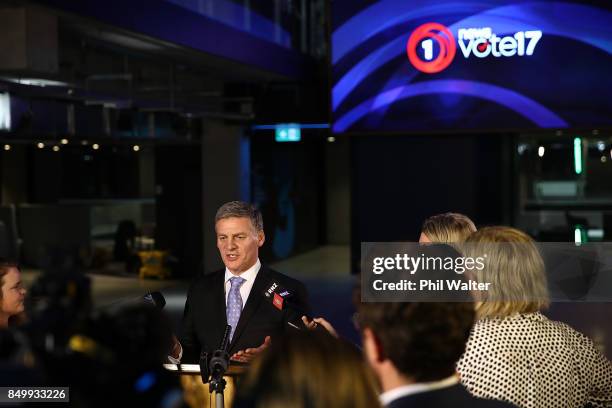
x=398, y=181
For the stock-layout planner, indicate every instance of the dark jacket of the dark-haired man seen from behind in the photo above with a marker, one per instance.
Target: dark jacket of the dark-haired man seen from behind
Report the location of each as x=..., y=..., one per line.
x=450, y=397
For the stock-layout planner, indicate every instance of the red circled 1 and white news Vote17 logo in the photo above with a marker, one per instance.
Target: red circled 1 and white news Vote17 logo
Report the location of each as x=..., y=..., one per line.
x=479, y=42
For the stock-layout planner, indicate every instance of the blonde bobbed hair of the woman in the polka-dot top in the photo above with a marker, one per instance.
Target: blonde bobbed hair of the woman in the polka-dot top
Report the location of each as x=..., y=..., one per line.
x=515, y=269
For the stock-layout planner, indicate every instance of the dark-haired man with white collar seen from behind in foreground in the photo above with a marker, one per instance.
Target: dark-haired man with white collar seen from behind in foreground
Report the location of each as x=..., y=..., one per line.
x=413, y=348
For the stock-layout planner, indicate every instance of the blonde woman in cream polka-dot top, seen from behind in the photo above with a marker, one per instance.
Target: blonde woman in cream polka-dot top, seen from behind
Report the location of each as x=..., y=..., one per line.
x=514, y=352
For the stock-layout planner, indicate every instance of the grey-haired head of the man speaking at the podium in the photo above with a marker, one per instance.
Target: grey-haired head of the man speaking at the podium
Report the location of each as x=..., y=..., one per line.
x=239, y=229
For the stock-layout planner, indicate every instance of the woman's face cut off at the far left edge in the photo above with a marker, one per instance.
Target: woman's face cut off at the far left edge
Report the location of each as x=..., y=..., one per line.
x=12, y=294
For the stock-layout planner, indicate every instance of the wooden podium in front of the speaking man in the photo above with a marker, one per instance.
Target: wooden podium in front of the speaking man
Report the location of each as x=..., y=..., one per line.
x=196, y=393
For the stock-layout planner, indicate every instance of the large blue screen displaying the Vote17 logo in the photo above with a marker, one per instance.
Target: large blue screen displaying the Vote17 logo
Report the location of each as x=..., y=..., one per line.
x=422, y=65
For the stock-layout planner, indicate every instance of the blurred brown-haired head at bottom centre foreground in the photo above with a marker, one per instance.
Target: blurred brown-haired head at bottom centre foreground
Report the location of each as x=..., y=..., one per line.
x=308, y=369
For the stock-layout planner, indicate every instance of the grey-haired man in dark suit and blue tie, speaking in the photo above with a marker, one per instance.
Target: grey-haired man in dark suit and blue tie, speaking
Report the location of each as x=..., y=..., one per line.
x=235, y=295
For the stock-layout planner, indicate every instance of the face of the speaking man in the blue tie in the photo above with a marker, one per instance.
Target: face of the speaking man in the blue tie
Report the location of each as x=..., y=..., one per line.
x=238, y=242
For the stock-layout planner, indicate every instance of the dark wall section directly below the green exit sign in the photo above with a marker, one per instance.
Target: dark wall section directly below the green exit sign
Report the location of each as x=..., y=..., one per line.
x=288, y=186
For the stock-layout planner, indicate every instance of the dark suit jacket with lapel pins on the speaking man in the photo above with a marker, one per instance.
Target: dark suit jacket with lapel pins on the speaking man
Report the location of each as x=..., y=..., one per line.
x=205, y=319
